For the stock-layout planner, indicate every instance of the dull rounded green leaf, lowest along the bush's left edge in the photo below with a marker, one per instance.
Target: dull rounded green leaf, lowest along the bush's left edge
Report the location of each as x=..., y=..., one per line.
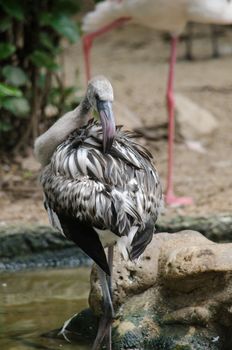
x=18, y=106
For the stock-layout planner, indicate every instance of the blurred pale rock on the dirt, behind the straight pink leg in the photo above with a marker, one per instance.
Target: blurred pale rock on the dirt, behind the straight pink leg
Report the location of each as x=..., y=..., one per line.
x=192, y=121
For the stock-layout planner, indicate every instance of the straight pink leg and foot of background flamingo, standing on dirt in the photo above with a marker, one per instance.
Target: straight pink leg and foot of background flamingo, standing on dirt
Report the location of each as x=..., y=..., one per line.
x=171, y=199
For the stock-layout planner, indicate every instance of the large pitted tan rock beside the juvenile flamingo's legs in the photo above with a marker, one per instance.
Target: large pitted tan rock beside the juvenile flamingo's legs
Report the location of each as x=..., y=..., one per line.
x=177, y=296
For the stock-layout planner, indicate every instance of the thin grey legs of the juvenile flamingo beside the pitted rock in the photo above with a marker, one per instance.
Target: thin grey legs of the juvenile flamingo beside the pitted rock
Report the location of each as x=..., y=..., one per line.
x=108, y=313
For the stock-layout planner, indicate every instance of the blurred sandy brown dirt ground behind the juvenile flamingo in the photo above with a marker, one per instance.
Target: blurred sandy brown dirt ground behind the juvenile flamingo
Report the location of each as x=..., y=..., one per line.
x=135, y=60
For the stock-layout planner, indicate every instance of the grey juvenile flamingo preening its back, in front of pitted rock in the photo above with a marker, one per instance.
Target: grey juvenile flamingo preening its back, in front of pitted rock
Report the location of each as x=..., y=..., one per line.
x=100, y=188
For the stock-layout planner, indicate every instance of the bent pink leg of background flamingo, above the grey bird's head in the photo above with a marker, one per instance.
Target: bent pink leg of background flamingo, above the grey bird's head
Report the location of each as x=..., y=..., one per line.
x=88, y=40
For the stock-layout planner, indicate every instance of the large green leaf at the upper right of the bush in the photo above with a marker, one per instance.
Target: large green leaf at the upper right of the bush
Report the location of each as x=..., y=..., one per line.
x=62, y=24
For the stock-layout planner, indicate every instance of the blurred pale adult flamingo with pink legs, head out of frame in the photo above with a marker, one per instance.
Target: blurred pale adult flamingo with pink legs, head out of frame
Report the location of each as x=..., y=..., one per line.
x=164, y=15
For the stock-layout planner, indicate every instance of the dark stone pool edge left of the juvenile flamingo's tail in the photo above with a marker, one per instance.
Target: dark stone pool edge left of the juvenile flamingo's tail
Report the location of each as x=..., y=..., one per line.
x=33, y=246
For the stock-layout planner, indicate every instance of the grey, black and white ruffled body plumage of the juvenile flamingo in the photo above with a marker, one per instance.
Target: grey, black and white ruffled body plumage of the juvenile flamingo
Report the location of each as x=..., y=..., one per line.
x=114, y=191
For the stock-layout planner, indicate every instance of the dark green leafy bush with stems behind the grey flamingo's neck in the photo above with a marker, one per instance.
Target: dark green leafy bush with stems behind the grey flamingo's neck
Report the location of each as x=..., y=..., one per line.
x=30, y=42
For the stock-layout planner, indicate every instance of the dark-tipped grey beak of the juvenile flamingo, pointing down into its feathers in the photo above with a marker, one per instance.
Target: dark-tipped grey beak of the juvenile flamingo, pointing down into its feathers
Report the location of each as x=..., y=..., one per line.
x=108, y=124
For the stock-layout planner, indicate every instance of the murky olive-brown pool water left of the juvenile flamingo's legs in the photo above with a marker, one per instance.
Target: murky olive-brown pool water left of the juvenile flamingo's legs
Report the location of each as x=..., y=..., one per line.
x=35, y=302
